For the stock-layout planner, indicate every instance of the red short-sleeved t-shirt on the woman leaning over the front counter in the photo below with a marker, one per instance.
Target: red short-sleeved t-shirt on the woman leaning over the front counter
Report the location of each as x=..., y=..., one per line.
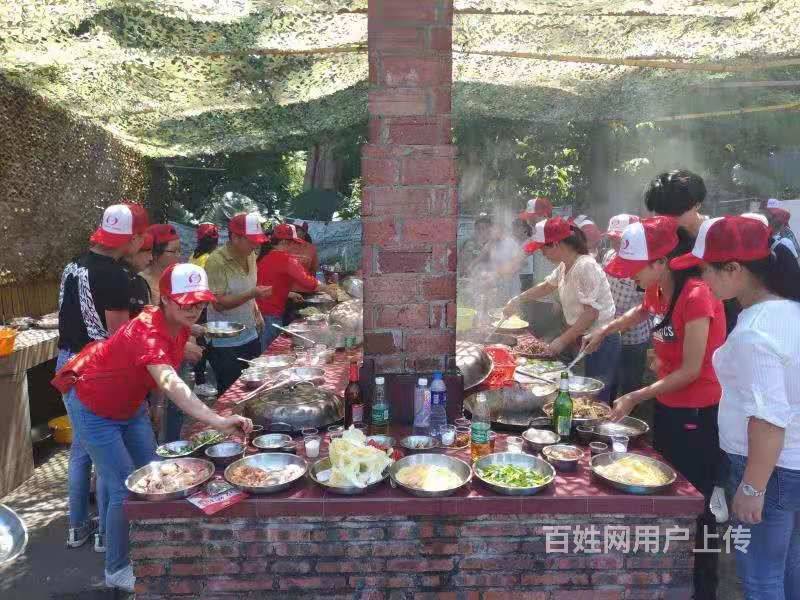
x=114, y=381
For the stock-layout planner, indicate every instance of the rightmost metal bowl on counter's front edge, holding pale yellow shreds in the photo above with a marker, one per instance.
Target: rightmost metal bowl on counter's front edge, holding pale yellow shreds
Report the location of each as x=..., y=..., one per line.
x=633, y=473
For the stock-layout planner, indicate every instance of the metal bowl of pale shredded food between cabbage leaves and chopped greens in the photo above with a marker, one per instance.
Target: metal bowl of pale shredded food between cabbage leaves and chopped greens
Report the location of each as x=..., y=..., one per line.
x=430, y=475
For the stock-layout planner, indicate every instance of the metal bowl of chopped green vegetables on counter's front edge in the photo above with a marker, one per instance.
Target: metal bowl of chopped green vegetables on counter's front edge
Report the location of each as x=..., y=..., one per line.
x=514, y=474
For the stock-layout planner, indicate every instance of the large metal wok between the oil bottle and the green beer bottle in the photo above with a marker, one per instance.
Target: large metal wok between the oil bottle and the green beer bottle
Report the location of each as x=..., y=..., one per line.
x=513, y=407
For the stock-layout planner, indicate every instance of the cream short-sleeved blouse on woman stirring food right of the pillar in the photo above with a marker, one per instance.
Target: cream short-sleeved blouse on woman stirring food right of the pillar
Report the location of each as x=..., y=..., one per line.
x=584, y=284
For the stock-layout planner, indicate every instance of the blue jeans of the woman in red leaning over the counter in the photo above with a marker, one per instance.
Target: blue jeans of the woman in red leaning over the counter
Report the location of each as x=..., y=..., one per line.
x=117, y=447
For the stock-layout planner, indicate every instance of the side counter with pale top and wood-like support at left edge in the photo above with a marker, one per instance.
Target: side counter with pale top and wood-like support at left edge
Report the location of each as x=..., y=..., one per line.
x=31, y=348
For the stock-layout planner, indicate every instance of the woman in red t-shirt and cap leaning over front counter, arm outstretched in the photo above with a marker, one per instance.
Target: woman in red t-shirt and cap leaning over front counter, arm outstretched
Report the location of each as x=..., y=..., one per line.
x=108, y=382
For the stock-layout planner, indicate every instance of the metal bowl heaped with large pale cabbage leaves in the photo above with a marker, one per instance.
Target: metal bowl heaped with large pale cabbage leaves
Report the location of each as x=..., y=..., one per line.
x=352, y=467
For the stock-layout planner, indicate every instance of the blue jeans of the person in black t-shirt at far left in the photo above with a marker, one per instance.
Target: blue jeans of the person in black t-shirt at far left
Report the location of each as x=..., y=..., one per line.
x=79, y=472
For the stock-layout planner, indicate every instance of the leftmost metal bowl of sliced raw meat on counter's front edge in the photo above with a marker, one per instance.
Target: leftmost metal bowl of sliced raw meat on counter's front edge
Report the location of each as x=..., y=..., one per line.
x=169, y=479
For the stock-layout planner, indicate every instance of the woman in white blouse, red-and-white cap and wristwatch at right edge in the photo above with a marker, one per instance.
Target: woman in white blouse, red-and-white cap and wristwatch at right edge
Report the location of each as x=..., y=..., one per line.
x=759, y=413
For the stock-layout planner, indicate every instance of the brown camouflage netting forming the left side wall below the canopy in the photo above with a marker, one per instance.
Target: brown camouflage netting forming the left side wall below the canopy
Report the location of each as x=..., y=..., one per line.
x=57, y=174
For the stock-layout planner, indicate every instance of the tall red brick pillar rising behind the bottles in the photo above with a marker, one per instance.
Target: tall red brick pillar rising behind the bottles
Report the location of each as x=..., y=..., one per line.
x=410, y=211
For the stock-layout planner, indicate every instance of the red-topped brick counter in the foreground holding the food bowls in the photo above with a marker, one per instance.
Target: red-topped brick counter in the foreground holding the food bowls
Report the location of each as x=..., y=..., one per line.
x=307, y=542
